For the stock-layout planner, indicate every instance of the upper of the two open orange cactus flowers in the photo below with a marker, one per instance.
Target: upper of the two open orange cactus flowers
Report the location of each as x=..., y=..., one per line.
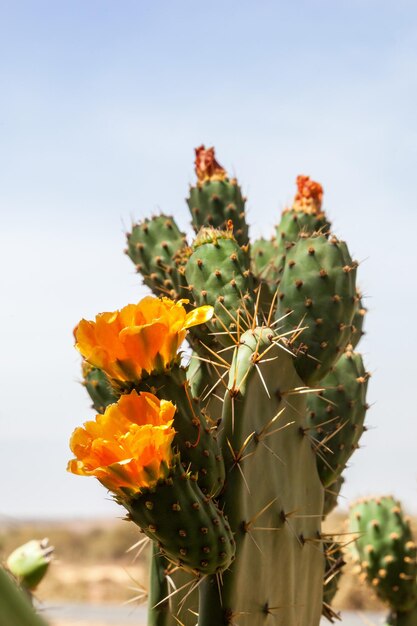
x=140, y=338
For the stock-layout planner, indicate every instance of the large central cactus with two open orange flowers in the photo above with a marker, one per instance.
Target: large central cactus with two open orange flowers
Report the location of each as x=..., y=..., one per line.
x=224, y=473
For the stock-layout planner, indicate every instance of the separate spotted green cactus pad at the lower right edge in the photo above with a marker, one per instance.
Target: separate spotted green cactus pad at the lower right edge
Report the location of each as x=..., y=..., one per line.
x=386, y=551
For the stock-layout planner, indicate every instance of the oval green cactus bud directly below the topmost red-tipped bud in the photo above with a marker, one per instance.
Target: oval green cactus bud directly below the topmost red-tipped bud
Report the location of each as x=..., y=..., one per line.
x=218, y=274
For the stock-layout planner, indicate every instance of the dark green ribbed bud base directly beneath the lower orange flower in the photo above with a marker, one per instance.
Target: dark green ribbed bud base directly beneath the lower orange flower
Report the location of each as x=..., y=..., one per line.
x=187, y=526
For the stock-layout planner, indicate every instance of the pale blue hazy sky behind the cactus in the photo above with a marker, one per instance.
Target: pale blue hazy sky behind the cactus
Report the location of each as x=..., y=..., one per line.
x=101, y=105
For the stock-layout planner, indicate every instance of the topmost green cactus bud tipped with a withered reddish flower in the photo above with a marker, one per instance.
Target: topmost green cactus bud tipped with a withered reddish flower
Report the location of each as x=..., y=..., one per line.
x=216, y=199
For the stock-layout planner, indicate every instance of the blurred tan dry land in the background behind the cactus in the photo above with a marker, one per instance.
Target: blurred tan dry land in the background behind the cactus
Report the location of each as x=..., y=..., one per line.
x=93, y=563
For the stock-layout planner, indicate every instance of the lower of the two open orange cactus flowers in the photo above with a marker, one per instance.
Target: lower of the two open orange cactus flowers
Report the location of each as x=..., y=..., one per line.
x=129, y=446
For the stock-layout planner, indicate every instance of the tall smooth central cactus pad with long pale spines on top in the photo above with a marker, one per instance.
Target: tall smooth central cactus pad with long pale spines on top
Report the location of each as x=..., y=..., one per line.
x=273, y=496
